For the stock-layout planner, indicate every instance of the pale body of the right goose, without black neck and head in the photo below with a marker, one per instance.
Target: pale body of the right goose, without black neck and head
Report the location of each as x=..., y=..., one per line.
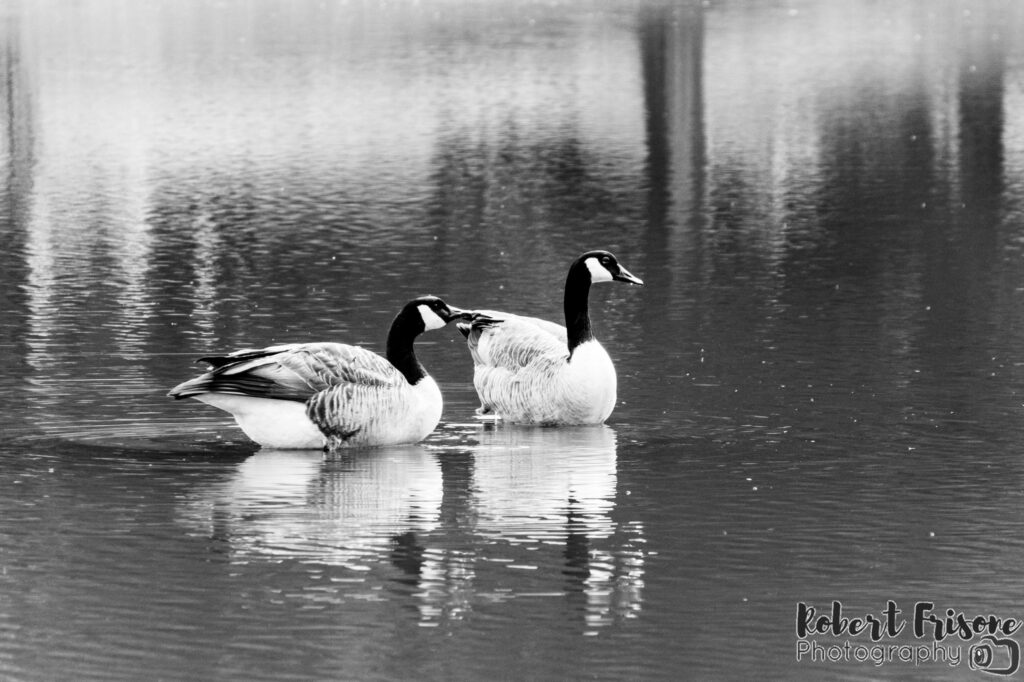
x=524, y=374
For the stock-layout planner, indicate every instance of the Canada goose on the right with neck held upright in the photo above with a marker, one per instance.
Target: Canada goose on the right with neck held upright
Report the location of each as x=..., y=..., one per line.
x=533, y=371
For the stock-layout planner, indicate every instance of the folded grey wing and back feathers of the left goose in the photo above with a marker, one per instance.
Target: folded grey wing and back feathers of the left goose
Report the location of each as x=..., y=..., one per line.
x=294, y=372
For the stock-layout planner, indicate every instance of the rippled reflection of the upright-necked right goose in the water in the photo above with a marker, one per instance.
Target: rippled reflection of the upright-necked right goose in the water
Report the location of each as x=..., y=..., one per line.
x=540, y=488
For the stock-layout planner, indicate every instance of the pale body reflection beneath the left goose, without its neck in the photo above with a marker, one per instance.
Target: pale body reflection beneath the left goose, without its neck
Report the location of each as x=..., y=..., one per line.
x=340, y=511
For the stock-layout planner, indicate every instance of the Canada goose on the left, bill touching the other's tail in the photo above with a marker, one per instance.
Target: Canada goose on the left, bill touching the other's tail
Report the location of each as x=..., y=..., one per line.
x=306, y=396
